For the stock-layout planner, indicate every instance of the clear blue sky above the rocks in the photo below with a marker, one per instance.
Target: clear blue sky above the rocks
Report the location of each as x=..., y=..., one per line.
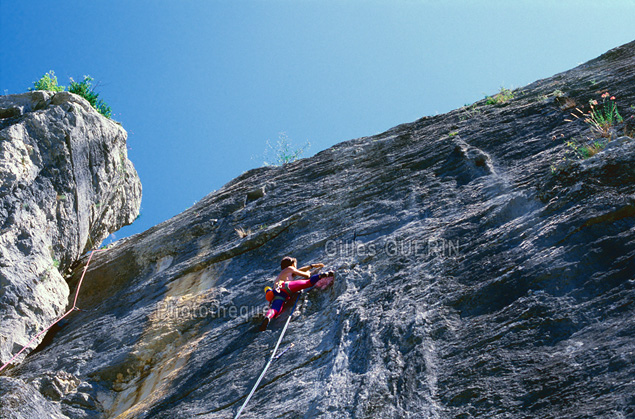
x=201, y=85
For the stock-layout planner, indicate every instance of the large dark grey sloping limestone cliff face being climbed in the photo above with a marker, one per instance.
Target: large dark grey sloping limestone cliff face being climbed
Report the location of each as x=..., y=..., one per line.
x=478, y=275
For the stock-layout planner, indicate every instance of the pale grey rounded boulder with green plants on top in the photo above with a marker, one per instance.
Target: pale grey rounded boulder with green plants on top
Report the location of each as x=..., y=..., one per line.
x=65, y=184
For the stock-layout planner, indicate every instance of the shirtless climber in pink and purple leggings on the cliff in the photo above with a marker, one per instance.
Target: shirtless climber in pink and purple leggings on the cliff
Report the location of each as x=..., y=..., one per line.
x=284, y=285
